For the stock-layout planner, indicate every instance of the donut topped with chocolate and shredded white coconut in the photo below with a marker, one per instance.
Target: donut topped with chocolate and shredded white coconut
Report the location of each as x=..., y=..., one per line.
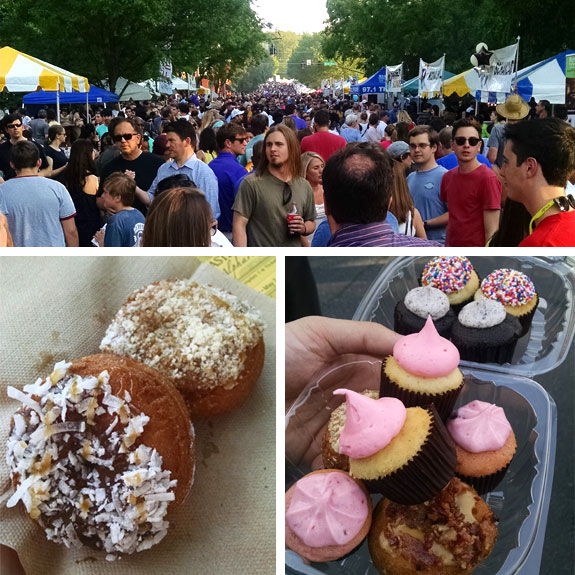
x=99, y=452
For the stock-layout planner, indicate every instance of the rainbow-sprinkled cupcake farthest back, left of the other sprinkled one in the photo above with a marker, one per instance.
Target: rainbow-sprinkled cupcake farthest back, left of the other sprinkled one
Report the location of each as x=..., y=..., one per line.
x=454, y=276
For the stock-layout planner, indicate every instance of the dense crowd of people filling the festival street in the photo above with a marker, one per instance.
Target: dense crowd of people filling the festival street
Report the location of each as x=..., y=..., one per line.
x=278, y=168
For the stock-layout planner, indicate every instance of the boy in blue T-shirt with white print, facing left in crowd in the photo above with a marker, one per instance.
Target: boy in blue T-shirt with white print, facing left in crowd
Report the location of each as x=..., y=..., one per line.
x=125, y=227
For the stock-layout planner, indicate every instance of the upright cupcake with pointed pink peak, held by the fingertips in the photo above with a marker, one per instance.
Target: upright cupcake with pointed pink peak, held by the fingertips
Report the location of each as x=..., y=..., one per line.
x=423, y=369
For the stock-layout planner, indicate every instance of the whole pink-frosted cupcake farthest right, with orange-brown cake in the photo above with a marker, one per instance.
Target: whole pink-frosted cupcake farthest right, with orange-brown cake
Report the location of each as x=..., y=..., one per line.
x=484, y=442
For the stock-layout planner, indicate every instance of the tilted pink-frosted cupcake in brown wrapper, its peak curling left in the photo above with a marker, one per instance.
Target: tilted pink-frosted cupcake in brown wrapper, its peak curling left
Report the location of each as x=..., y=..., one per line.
x=406, y=454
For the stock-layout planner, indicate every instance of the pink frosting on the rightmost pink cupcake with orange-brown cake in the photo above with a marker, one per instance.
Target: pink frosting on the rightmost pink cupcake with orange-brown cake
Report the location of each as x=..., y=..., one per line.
x=480, y=426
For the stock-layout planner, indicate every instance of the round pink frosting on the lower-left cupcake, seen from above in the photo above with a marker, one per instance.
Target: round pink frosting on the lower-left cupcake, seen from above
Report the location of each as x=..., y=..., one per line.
x=327, y=509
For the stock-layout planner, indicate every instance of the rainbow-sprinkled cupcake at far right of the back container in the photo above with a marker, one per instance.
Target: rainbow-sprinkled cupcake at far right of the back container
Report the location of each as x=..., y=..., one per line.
x=515, y=291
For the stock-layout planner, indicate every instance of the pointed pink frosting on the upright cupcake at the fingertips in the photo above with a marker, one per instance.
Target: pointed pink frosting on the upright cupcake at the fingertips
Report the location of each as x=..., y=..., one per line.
x=426, y=353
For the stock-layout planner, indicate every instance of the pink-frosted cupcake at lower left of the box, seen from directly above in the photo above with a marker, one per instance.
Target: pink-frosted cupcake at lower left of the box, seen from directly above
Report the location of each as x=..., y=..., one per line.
x=328, y=514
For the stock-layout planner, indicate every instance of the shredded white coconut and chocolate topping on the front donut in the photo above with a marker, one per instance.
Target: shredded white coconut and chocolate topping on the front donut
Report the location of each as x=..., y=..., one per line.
x=83, y=484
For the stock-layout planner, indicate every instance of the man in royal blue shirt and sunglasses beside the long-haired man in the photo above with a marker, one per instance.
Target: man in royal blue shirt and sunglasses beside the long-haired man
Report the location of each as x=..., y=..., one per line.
x=231, y=140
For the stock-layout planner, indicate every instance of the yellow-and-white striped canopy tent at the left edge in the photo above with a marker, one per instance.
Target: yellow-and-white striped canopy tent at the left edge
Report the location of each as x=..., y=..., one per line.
x=22, y=73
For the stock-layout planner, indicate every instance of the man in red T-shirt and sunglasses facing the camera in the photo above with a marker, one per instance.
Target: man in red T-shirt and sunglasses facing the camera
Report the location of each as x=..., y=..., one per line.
x=472, y=191
